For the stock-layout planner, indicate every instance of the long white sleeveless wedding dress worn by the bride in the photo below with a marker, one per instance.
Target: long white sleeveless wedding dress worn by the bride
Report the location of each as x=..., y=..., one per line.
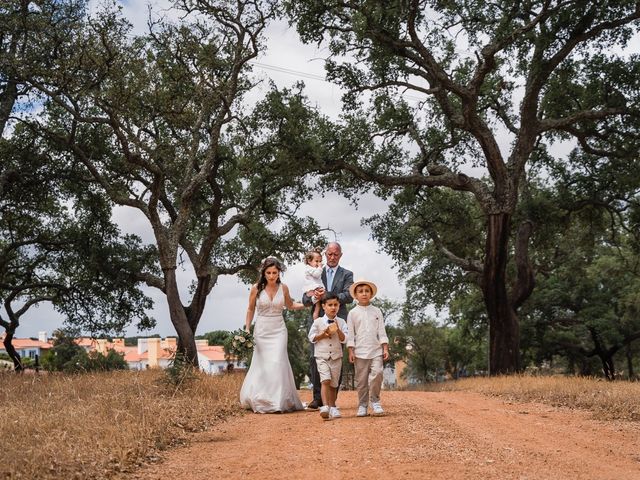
x=269, y=386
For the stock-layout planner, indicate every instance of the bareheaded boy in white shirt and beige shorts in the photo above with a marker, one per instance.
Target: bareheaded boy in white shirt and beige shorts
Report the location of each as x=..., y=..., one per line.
x=328, y=334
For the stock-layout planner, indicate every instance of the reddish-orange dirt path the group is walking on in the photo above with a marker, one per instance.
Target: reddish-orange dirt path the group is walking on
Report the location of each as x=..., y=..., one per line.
x=424, y=435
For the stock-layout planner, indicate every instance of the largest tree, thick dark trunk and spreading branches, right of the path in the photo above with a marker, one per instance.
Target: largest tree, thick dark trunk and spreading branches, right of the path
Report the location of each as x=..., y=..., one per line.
x=459, y=101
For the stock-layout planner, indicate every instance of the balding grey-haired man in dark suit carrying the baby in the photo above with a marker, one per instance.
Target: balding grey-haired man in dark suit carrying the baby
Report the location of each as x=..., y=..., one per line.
x=336, y=280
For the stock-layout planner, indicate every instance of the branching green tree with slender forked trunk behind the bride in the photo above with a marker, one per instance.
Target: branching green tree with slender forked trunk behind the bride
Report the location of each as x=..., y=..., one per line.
x=157, y=124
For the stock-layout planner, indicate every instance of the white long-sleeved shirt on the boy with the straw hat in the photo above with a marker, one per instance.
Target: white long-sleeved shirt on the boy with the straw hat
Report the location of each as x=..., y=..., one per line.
x=366, y=331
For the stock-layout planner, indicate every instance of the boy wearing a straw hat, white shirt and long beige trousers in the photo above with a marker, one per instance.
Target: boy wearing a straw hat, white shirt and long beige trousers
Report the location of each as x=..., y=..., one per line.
x=368, y=346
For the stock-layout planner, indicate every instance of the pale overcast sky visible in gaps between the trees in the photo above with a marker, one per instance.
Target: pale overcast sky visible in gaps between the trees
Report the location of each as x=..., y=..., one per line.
x=227, y=304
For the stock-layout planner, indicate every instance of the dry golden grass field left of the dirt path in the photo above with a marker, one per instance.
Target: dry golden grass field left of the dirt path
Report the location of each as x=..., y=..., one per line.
x=102, y=425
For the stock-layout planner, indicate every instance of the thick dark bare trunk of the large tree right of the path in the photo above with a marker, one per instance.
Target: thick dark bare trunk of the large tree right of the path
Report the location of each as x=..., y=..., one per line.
x=504, y=330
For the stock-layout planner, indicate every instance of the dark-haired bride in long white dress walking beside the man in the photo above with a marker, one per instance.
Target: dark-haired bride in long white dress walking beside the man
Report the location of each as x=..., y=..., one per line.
x=269, y=386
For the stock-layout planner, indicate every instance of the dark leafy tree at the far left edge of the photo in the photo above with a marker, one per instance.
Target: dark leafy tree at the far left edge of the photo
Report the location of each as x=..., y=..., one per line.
x=57, y=241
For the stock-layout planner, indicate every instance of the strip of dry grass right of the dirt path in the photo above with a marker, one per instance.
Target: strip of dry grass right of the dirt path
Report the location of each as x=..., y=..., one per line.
x=607, y=400
